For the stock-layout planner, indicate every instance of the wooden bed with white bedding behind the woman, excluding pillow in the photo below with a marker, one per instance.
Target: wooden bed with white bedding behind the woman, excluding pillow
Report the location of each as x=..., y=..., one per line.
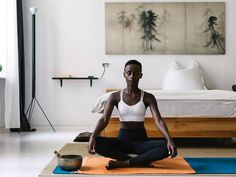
x=193, y=113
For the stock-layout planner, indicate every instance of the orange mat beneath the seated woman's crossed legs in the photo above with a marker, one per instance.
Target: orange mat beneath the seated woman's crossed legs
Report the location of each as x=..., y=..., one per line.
x=96, y=165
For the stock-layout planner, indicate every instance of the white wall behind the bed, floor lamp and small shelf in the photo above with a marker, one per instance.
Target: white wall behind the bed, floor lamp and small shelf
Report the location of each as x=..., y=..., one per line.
x=71, y=40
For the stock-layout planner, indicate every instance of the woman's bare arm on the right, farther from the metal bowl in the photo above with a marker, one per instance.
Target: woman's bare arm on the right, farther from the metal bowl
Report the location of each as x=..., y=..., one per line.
x=161, y=124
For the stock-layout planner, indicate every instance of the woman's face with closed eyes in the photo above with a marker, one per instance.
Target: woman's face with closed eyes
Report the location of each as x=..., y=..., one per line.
x=132, y=74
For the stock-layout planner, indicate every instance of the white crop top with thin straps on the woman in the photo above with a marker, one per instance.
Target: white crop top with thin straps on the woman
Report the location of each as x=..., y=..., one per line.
x=133, y=113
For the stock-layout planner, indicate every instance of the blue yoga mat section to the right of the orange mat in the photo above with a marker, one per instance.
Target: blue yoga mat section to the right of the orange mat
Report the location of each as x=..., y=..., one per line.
x=213, y=165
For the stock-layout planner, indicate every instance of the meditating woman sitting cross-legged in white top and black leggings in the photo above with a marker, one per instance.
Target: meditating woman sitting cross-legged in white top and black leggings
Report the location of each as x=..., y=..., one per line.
x=131, y=104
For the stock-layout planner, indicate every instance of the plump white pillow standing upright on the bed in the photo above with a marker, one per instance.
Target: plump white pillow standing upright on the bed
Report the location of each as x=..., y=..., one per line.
x=178, y=78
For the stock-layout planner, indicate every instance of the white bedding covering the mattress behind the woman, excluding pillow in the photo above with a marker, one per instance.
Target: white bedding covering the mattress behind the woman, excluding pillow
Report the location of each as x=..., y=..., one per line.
x=193, y=103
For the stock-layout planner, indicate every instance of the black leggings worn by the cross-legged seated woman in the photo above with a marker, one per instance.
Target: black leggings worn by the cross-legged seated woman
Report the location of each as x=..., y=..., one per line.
x=135, y=142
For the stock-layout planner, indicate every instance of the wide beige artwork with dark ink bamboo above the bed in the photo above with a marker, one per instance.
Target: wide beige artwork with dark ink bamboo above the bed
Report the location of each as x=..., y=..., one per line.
x=165, y=28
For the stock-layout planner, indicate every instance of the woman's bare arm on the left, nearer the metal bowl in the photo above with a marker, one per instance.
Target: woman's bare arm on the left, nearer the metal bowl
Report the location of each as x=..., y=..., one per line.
x=102, y=122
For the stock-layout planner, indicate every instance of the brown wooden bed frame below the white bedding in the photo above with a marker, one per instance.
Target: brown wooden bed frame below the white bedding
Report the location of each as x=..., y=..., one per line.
x=183, y=127
